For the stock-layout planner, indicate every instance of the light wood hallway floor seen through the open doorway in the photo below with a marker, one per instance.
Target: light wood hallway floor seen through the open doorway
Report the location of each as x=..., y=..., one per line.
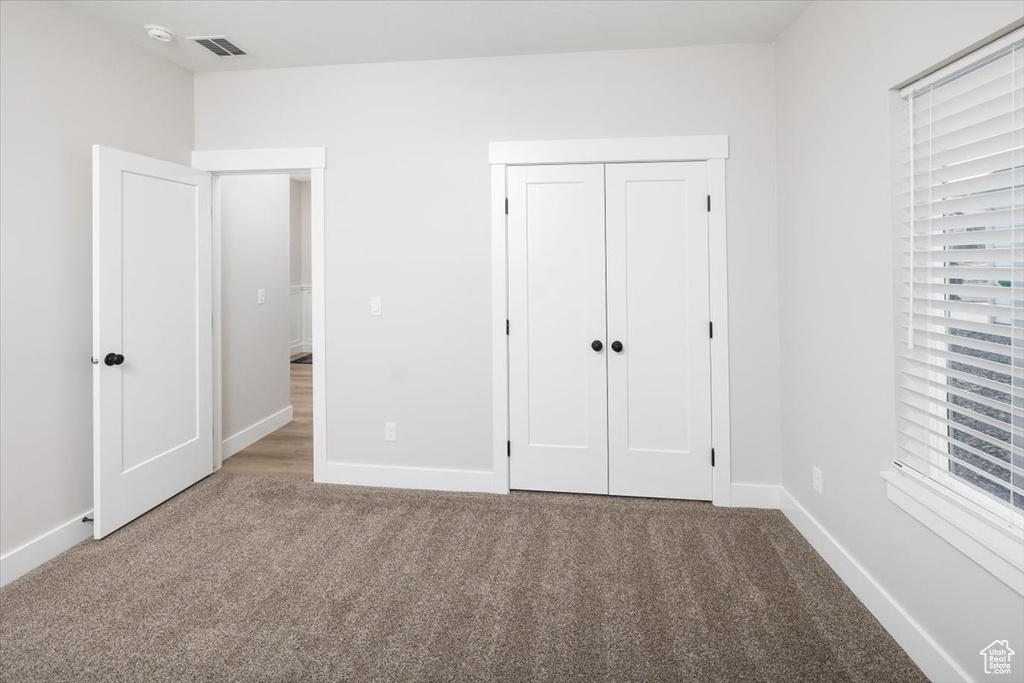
x=288, y=452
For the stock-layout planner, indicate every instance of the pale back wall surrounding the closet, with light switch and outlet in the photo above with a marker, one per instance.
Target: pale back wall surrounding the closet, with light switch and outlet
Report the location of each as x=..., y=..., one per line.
x=408, y=220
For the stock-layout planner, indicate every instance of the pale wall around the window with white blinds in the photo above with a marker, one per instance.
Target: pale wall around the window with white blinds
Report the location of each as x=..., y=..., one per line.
x=836, y=67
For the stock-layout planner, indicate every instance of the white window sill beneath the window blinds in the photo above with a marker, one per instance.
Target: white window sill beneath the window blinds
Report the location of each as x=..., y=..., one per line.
x=993, y=543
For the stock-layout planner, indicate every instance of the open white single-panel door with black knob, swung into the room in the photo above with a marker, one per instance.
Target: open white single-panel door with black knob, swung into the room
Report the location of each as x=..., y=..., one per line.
x=153, y=390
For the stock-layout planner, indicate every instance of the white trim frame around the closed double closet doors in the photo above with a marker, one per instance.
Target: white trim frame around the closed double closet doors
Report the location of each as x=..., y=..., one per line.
x=711, y=149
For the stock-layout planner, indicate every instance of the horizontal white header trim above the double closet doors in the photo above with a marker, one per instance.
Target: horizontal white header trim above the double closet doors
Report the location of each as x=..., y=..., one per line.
x=612, y=151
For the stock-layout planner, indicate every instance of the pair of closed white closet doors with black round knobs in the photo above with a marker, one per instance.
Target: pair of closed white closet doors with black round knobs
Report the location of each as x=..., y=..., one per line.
x=610, y=357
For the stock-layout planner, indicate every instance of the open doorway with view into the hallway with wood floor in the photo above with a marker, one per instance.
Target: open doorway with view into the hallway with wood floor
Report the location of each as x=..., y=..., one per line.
x=267, y=345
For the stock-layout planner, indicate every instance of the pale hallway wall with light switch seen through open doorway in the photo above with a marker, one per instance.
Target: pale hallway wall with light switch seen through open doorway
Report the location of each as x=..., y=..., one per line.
x=255, y=233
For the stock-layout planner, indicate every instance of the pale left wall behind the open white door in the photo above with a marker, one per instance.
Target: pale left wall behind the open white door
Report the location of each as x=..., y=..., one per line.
x=55, y=104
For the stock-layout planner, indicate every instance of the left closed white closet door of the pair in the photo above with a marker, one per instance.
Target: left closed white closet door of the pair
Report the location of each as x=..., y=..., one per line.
x=558, y=380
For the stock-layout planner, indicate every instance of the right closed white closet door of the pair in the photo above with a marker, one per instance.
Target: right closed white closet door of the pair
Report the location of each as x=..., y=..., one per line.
x=660, y=382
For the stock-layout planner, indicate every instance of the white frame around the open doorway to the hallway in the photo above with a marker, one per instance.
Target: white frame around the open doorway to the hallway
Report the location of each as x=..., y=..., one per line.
x=285, y=160
